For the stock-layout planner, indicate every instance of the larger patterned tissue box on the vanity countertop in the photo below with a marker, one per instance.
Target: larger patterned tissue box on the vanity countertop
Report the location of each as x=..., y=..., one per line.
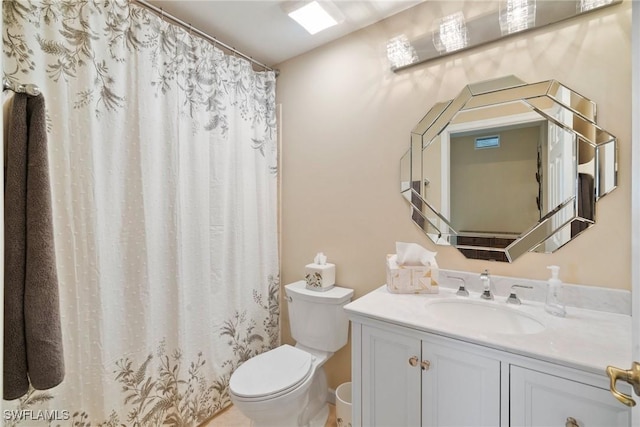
x=404, y=279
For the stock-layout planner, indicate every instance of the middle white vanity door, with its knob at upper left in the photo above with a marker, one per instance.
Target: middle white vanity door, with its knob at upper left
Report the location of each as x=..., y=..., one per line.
x=460, y=388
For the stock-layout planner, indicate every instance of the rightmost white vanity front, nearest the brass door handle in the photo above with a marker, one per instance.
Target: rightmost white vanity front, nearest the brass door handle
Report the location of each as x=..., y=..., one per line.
x=539, y=399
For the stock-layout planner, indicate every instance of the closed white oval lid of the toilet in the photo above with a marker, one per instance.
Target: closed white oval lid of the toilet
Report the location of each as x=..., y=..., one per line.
x=272, y=372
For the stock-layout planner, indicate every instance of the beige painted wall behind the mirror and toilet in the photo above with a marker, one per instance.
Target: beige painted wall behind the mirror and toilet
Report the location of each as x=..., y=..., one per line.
x=346, y=120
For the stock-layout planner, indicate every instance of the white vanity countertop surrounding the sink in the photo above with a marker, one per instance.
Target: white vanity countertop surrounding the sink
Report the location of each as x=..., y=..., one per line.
x=585, y=339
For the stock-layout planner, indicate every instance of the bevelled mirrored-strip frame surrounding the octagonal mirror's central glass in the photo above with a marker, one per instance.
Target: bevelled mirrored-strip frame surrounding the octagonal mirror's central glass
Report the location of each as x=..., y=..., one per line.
x=548, y=101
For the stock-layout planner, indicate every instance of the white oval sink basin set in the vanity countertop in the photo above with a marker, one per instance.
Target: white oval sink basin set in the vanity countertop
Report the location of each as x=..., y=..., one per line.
x=484, y=317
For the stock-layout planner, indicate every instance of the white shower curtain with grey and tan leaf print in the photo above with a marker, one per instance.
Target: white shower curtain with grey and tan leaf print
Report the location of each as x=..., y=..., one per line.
x=163, y=173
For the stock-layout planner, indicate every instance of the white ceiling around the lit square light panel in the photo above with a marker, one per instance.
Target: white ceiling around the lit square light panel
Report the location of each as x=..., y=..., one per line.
x=262, y=29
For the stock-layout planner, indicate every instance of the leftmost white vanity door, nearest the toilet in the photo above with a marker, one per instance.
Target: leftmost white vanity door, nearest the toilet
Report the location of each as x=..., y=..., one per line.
x=390, y=381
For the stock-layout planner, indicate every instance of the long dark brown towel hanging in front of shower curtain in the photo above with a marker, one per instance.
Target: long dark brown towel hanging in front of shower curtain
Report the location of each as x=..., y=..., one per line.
x=32, y=332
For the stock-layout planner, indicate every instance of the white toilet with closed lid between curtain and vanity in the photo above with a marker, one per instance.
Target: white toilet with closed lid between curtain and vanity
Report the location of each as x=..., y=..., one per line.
x=287, y=386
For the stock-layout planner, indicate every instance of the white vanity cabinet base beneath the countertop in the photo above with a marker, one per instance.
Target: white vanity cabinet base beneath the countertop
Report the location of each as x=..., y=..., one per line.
x=407, y=377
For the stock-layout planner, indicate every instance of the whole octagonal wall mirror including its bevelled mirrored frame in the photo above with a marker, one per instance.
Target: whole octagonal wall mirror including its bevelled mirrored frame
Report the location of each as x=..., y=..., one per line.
x=508, y=167
